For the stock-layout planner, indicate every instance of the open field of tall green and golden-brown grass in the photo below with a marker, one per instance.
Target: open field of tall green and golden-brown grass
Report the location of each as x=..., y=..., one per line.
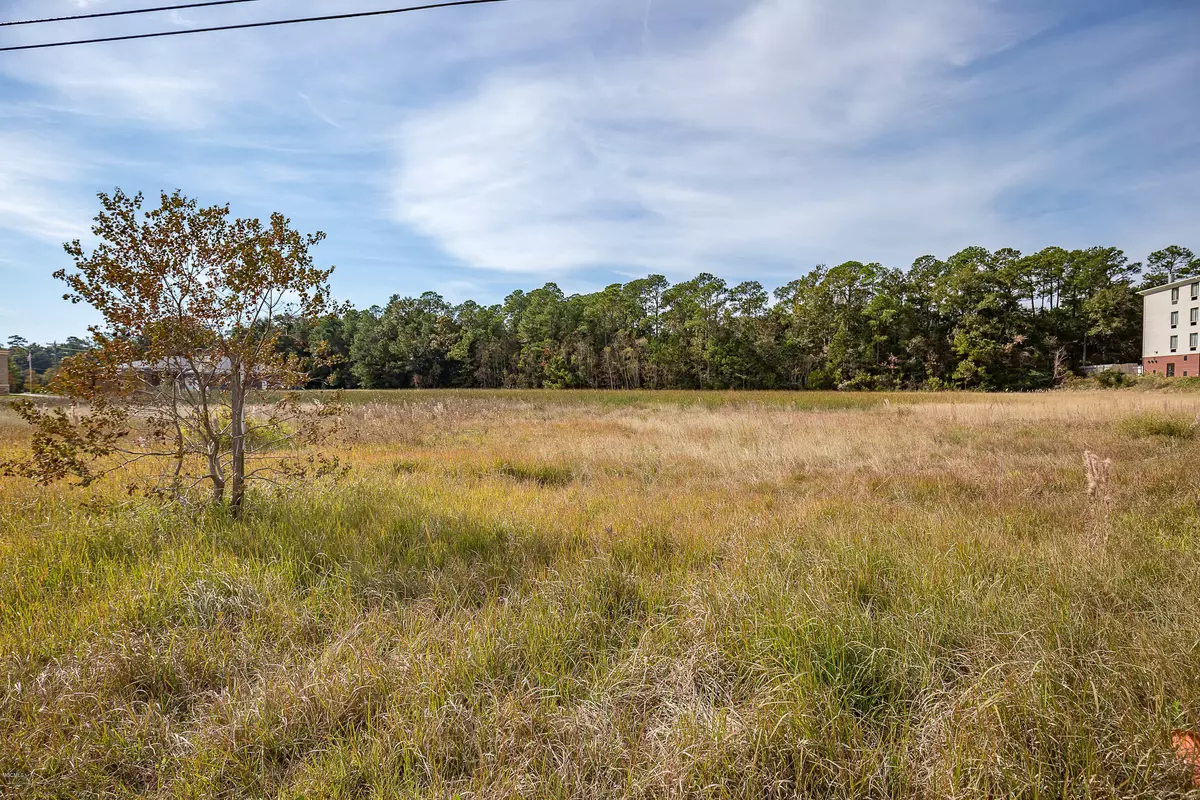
x=621, y=594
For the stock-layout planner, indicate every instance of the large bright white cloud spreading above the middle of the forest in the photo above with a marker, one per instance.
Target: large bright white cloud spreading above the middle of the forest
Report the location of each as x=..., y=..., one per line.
x=745, y=147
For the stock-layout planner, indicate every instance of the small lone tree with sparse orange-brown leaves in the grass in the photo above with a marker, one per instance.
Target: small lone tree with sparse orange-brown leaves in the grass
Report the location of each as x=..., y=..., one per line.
x=191, y=304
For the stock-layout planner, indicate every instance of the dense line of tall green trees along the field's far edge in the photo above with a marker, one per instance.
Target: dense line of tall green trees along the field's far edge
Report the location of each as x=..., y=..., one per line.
x=980, y=320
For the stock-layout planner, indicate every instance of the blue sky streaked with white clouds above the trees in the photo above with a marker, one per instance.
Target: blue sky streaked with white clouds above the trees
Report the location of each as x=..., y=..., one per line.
x=481, y=149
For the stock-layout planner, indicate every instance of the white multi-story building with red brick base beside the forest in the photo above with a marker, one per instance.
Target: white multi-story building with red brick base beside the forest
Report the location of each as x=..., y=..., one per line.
x=1171, y=329
